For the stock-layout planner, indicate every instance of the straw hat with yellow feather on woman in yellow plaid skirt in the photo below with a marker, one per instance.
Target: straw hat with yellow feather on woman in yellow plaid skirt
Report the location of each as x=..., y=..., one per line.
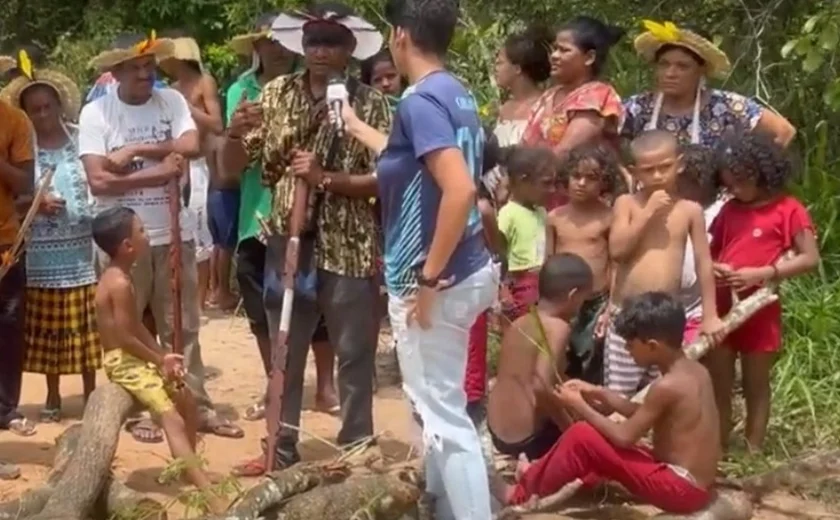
x=68, y=93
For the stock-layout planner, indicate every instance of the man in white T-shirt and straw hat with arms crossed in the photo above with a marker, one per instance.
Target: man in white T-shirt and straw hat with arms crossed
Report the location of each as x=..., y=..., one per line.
x=132, y=141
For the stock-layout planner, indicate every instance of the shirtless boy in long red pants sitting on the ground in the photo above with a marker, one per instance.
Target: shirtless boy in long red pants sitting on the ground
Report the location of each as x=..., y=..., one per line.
x=677, y=473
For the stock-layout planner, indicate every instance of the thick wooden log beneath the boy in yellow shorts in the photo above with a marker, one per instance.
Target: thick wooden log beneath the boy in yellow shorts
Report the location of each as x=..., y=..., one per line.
x=88, y=468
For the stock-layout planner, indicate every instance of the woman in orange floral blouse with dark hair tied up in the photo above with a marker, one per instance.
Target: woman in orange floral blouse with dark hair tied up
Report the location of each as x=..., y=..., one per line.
x=579, y=108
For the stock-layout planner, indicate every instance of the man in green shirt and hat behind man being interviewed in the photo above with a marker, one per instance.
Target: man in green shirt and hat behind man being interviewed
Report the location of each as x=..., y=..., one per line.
x=268, y=60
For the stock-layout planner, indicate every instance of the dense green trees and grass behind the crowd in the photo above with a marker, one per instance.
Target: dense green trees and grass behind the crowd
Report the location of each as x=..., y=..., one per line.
x=785, y=53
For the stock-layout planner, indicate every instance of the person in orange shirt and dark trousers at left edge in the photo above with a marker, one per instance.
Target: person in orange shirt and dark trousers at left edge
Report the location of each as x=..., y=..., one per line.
x=17, y=170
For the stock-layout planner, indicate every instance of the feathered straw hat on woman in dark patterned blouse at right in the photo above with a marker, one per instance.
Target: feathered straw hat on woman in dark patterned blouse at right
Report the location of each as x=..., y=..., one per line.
x=657, y=35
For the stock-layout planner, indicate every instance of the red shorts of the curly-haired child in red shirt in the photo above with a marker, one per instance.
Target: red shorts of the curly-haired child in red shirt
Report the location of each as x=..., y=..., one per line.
x=761, y=333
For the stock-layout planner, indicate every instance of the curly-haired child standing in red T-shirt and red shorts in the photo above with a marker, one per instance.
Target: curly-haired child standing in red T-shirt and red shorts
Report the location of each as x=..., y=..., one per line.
x=749, y=237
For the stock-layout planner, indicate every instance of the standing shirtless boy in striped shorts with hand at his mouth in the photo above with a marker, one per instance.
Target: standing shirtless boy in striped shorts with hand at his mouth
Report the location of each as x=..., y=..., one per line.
x=648, y=244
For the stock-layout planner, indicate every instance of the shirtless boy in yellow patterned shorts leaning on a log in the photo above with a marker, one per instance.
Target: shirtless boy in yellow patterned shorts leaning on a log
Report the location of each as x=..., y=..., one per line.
x=133, y=358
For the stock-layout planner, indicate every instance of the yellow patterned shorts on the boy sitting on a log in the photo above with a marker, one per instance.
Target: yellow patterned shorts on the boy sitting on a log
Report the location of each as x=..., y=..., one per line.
x=142, y=380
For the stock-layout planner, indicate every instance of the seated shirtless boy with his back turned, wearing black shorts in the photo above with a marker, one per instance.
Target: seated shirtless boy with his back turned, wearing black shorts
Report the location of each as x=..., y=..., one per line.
x=518, y=418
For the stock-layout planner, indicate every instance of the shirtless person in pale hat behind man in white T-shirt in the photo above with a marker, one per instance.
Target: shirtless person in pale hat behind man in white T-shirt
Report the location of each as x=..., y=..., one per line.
x=199, y=88
